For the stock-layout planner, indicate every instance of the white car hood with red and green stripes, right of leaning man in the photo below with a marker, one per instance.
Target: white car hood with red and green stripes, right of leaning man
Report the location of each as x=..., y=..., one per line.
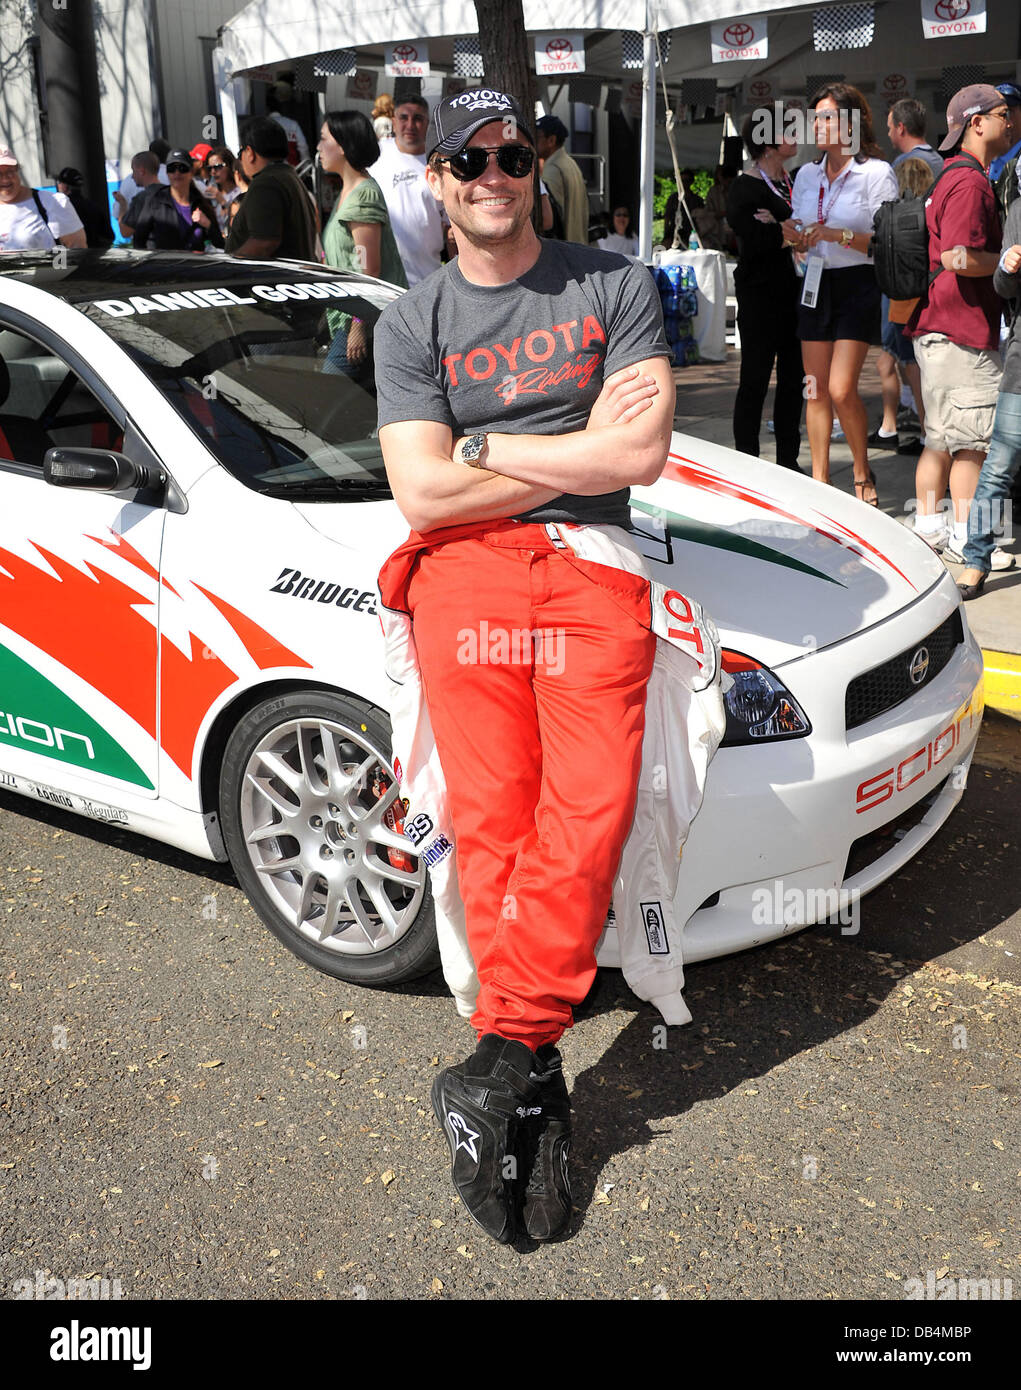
x=783, y=564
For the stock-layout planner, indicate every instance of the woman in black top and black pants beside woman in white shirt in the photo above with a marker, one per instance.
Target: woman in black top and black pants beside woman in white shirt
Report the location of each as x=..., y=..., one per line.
x=767, y=288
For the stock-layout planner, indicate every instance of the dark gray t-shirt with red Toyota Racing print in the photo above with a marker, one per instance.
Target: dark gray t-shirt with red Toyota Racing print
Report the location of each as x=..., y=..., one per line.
x=526, y=358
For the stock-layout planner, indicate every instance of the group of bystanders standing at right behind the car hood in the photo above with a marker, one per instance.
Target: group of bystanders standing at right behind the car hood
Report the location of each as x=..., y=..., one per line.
x=809, y=302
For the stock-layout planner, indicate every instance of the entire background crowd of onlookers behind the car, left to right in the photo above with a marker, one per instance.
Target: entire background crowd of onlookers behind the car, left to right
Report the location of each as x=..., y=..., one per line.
x=809, y=302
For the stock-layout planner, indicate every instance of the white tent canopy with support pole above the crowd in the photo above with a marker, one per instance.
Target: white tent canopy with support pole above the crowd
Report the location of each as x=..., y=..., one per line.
x=269, y=34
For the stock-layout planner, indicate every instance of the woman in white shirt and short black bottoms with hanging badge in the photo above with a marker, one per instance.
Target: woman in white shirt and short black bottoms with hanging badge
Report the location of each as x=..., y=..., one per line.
x=836, y=202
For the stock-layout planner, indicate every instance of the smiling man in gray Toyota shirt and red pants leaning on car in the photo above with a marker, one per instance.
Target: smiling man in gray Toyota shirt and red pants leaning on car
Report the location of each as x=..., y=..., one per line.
x=483, y=458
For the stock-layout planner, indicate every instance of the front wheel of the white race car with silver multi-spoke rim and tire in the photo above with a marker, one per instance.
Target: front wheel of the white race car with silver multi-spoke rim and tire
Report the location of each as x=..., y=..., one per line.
x=313, y=825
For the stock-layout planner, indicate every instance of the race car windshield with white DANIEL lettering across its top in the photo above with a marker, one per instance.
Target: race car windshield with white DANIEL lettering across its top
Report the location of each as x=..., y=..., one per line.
x=276, y=376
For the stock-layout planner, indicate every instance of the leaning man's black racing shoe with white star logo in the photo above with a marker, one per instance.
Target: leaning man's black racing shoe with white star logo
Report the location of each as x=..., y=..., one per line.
x=480, y=1106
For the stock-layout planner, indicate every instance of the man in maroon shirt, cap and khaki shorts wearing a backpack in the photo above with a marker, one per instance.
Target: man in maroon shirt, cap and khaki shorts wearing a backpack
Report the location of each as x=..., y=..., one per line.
x=956, y=329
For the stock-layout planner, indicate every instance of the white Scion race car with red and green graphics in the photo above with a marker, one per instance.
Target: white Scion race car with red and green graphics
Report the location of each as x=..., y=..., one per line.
x=194, y=512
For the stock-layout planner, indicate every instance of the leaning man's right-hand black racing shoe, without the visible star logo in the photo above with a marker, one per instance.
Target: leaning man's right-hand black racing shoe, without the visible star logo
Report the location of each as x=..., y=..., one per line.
x=547, y=1143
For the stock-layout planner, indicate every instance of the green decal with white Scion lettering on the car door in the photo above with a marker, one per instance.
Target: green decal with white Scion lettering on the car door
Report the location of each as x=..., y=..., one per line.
x=41, y=719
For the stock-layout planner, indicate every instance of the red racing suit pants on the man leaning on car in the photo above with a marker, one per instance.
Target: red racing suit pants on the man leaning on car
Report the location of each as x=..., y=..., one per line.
x=536, y=675
